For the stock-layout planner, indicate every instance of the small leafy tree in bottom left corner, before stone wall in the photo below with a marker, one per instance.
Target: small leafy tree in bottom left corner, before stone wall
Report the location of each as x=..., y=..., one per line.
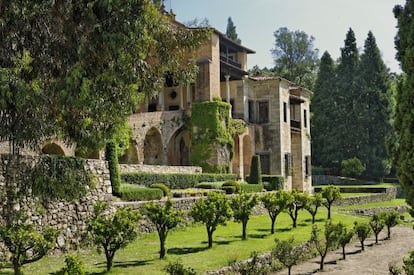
x=25, y=243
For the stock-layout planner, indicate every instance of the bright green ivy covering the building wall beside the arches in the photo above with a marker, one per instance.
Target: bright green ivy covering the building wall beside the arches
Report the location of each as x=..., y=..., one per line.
x=210, y=123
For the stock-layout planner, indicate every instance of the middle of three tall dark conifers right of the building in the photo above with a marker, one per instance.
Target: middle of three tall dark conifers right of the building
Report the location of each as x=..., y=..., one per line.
x=345, y=134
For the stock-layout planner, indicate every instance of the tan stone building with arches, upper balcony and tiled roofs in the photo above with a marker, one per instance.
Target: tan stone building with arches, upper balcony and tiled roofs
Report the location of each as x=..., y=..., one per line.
x=276, y=111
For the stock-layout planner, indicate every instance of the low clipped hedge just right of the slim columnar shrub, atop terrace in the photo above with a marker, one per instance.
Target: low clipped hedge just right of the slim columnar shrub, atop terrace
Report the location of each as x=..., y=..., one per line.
x=130, y=192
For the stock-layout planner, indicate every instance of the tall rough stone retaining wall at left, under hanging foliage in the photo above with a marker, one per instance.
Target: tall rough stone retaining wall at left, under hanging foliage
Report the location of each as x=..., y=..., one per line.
x=69, y=218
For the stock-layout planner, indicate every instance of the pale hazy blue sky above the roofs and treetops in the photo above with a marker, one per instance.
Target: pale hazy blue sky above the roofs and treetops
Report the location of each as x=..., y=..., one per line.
x=326, y=20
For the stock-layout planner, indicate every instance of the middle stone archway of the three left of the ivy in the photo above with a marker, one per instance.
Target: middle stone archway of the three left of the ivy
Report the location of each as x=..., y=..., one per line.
x=153, y=147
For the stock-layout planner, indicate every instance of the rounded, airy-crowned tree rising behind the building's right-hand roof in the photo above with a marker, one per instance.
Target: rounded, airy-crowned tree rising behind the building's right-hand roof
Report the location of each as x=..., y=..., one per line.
x=294, y=56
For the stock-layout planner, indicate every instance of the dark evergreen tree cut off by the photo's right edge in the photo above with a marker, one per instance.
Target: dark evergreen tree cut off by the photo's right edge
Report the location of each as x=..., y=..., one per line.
x=404, y=118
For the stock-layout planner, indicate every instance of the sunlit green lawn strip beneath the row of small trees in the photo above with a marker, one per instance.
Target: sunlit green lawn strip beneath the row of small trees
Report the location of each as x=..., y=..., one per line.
x=190, y=244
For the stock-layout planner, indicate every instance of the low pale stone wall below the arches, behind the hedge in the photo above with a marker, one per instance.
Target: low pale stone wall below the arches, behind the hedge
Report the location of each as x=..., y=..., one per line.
x=160, y=169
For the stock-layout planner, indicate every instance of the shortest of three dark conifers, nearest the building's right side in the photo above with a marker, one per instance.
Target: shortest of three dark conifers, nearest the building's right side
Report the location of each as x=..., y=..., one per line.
x=322, y=106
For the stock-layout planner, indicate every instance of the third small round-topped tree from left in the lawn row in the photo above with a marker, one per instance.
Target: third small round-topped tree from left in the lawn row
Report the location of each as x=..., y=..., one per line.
x=164, y=218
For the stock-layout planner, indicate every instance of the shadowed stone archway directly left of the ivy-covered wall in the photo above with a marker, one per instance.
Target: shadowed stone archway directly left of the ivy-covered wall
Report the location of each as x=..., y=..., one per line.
x=179, y=148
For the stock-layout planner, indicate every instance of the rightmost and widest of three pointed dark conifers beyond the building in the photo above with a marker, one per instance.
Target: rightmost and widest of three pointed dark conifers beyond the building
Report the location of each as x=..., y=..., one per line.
x=374, y=110
